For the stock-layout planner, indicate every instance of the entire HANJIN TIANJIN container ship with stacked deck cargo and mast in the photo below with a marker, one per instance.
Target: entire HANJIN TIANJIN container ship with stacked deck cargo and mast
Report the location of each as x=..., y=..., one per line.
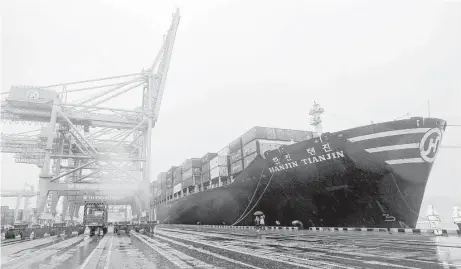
x=369, y=176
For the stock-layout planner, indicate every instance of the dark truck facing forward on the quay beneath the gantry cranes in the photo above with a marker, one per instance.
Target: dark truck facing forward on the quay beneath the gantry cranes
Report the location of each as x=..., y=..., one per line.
x=95, y=217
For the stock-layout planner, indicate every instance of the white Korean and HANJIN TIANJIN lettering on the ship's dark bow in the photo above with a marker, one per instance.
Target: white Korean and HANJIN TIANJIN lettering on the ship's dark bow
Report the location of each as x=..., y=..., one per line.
x=304, y=154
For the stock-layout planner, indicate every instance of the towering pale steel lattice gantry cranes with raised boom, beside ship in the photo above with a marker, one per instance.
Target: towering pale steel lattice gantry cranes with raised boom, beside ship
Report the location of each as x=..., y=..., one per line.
x=98, y=145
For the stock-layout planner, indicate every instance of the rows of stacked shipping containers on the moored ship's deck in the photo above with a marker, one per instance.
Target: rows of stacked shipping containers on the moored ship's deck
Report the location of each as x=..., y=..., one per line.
x=219, y=169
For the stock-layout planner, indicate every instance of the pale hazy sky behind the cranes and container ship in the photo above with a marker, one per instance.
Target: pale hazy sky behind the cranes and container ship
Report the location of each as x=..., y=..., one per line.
x=237, y=64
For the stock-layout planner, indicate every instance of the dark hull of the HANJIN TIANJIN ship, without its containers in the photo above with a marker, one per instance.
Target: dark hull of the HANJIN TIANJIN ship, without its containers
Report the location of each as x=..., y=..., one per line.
x=370, y=176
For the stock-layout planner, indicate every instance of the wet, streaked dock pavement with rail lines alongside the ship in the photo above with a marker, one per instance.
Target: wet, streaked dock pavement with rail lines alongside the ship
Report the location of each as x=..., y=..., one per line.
x=217, y=248
